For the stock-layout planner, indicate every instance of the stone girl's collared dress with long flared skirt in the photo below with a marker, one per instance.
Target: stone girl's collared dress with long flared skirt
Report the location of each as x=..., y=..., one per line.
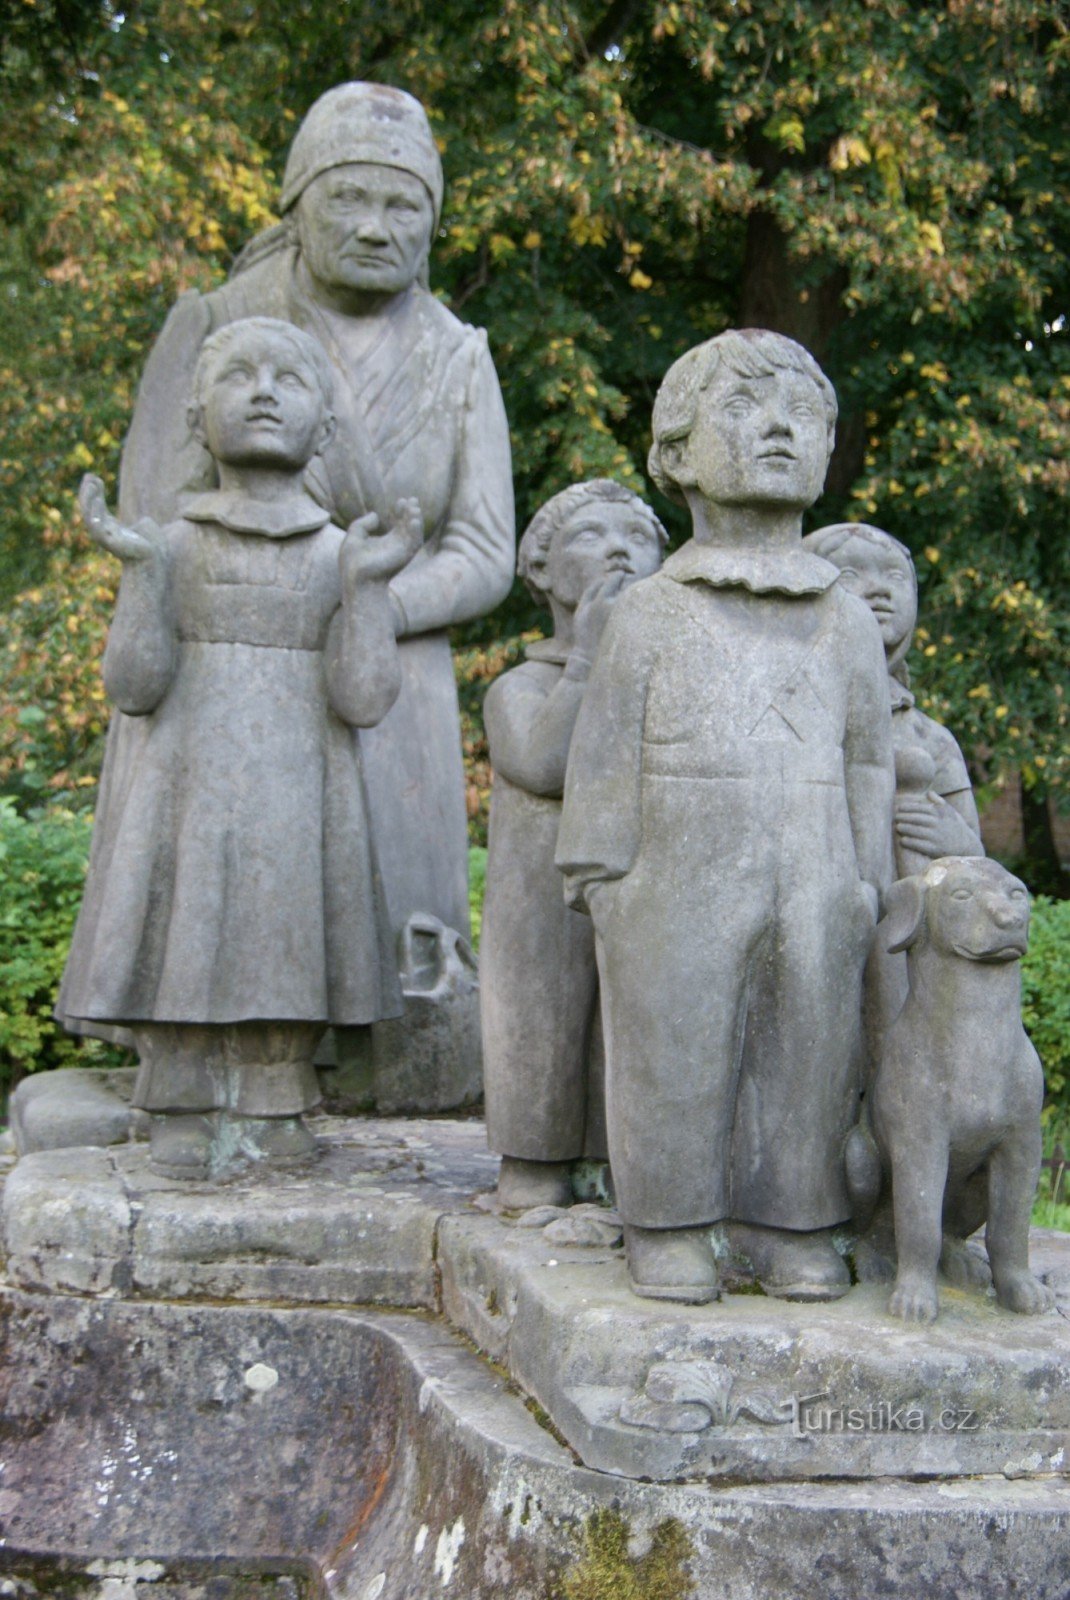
x=233, y=874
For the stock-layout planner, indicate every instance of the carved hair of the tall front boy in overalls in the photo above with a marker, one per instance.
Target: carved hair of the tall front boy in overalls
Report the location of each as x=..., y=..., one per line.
x=751, y=353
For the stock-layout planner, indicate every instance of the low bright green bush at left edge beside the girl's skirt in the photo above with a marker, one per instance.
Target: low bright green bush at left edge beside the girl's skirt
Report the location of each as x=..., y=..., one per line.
x=42, y=868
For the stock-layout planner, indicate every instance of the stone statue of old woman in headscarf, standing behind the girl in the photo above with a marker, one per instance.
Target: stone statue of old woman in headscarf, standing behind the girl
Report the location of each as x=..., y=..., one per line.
x=420, y=415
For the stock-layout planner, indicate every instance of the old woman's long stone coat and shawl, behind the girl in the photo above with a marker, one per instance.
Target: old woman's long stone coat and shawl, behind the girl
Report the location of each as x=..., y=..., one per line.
x=420, y=414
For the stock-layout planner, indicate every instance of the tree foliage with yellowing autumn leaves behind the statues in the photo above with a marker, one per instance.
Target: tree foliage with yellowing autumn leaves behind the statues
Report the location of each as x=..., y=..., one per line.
x=884, y=182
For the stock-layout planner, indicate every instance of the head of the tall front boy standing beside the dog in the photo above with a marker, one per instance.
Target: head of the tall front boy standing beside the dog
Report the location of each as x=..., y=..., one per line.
x=745, y=418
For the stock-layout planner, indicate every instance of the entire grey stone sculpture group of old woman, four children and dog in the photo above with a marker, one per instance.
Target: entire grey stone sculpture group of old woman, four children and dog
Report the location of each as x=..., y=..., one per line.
x=711, y=780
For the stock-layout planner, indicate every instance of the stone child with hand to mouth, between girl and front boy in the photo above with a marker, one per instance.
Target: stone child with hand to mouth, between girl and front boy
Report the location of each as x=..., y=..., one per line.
x=538, y=980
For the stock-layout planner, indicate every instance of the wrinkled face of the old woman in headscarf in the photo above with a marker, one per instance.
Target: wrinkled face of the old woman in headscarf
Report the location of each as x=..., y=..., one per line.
x=365, y=228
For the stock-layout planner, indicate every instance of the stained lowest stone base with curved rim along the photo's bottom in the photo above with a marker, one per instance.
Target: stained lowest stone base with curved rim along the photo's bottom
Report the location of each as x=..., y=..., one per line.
x=388, y=1463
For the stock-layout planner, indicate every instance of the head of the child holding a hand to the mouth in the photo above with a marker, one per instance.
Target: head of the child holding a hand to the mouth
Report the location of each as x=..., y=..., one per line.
x=586, y=534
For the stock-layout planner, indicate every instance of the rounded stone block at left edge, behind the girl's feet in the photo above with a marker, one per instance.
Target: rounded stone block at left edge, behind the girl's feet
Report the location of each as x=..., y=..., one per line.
x=73, y=1106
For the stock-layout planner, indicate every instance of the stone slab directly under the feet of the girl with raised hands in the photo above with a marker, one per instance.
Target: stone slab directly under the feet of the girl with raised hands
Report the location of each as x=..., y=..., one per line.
x=357, y=1225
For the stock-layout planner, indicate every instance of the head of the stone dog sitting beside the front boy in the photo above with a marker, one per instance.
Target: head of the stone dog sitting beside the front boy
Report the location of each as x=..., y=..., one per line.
x=964, y=906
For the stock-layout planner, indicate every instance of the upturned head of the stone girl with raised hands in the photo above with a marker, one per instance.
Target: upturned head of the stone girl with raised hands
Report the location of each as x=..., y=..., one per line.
x=263, y=394
